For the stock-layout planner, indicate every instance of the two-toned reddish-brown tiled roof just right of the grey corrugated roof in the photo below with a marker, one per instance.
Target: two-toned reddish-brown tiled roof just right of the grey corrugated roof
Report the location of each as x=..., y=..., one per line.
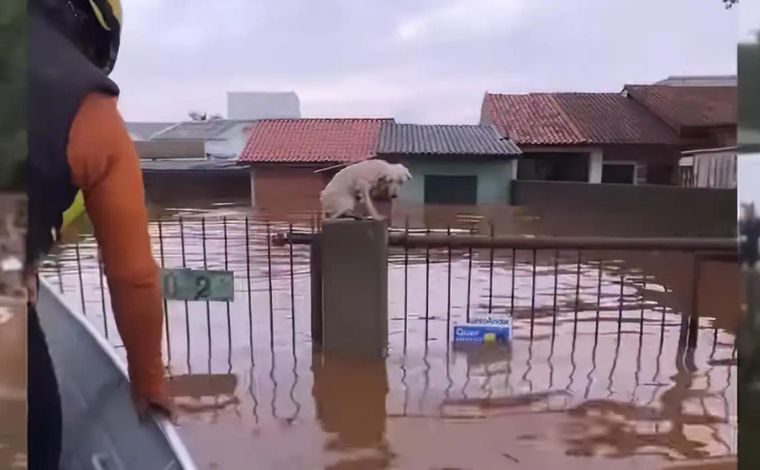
x=575, y=119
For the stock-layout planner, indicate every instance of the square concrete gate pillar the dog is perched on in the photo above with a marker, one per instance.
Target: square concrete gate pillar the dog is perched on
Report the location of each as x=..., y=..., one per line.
x=355, y=287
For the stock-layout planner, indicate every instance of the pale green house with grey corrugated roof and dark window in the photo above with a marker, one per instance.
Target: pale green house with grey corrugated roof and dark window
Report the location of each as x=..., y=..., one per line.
x=451, y=164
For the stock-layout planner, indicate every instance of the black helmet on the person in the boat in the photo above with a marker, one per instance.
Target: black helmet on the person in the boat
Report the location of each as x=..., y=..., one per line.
x=93, y=26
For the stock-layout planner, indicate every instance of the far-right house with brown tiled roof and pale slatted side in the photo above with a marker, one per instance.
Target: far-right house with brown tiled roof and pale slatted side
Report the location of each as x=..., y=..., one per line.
x=704, y=117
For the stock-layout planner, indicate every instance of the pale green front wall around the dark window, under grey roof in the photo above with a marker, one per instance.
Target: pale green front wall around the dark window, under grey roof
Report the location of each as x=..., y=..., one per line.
x=494, y=178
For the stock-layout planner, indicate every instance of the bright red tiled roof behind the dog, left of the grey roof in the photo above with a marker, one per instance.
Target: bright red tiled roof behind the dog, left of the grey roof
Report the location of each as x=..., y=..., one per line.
x=312, y=141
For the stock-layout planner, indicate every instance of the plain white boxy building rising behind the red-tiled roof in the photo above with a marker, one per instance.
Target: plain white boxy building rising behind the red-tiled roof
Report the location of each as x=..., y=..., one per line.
x=252, y=105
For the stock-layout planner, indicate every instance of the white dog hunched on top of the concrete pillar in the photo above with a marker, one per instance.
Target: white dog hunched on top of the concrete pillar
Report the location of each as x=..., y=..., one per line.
x=358, y=183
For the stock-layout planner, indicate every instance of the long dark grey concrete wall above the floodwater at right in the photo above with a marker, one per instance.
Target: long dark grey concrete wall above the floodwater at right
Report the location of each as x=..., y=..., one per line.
x=620, y=210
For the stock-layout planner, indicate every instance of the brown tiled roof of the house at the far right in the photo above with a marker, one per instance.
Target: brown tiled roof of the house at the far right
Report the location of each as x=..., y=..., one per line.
x=691, y=106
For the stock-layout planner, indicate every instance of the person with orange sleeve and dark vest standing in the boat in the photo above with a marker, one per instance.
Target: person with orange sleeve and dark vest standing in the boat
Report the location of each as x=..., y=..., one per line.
x=78, y=141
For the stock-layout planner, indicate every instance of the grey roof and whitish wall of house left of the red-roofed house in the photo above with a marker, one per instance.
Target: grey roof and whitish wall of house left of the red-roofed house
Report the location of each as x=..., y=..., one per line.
x=222, y=138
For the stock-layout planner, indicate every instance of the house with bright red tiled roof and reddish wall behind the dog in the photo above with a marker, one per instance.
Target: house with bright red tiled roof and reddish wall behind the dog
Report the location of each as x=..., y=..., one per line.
x=291, y=160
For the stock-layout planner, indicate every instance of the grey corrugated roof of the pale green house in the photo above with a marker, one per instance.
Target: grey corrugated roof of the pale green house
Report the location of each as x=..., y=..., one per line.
x=418, y=139
